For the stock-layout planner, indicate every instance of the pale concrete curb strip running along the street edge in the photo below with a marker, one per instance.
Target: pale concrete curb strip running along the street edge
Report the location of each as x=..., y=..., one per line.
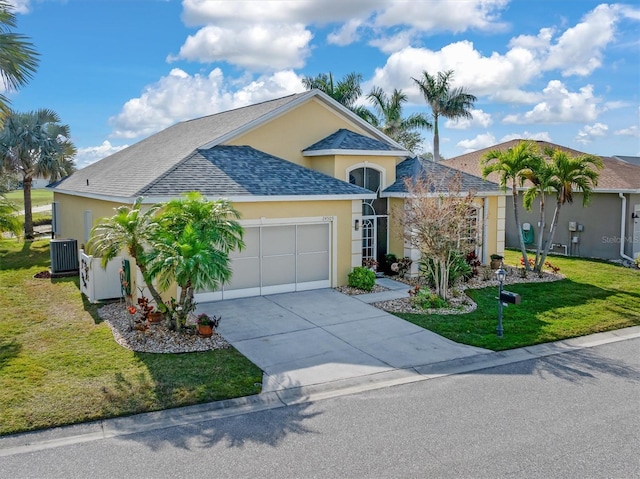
x=151, y=421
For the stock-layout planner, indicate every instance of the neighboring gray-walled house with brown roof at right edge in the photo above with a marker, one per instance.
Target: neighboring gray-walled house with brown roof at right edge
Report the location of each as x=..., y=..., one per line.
x=608, y=227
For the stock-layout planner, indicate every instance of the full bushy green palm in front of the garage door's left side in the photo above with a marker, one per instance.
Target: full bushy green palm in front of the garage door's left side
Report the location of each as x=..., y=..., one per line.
x=192, y=246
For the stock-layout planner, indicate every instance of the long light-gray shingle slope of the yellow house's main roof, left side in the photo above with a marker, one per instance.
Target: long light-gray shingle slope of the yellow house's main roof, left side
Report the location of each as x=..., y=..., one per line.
x=129, y=171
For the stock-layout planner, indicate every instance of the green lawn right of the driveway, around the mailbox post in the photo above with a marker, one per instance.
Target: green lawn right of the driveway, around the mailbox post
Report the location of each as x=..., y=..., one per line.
x=596, y=296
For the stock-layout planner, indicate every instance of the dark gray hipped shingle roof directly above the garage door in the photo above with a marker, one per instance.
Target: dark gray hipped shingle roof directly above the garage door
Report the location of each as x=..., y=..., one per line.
x=242, y=171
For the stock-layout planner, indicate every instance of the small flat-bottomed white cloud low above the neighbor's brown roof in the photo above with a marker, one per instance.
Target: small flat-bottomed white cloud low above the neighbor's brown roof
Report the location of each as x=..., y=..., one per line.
x=559, y=105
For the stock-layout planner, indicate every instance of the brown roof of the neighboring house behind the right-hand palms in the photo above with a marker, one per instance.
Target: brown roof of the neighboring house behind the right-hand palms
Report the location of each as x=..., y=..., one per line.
x=617, y=175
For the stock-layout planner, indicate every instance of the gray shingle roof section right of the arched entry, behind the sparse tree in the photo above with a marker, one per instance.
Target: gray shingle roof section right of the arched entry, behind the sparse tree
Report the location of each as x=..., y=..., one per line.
x=416, y=167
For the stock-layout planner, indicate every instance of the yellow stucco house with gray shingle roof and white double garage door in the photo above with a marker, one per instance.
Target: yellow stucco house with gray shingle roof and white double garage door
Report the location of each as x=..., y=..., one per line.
x=307, y=175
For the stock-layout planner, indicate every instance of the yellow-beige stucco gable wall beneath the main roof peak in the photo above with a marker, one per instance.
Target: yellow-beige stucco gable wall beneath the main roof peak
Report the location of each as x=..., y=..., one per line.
x=287, y=135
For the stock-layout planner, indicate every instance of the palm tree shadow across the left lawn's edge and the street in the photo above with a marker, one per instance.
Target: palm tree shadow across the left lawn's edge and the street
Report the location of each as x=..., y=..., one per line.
x=204, y=425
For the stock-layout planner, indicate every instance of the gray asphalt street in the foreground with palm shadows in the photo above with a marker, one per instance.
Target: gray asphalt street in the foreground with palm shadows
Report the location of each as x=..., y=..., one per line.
x=573, y=414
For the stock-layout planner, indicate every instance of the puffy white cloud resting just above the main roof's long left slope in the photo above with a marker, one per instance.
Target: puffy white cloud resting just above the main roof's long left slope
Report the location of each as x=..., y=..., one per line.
x=180, y=96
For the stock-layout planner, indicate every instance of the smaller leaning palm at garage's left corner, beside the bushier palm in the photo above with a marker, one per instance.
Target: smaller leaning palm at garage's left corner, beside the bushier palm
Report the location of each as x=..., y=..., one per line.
x=129, y=229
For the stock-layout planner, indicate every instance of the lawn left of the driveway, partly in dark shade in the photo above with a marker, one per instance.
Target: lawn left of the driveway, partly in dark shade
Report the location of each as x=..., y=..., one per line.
x=59, y=363
